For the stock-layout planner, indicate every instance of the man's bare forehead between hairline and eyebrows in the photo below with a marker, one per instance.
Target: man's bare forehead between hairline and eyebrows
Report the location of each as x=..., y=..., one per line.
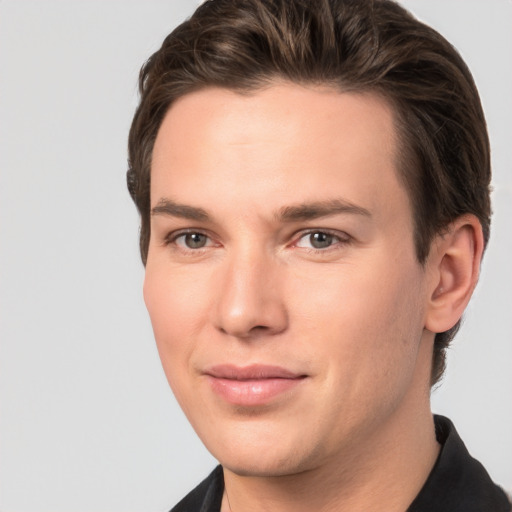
x=284, y=143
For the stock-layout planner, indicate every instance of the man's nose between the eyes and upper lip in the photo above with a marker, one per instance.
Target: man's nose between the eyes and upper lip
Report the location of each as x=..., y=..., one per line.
x=250, y=301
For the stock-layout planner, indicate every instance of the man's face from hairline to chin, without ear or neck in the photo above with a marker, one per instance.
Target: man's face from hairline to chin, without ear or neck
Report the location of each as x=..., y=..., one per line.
x=286, y=300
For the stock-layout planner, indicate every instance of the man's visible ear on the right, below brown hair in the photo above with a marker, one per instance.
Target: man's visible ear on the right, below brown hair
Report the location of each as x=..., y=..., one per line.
x=454, y=266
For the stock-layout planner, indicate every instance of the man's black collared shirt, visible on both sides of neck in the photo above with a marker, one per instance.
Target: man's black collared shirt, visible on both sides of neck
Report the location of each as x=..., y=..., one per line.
x=457, y=483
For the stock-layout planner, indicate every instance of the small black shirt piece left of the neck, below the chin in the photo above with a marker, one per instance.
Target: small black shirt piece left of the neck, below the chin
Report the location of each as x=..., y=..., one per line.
x=206, y=497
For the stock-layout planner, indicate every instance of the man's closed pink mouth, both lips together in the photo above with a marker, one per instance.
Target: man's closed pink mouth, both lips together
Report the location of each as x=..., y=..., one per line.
x=253, y=385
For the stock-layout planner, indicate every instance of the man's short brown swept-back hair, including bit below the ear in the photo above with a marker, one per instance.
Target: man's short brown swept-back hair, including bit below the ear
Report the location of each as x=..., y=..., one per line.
x=351, y=45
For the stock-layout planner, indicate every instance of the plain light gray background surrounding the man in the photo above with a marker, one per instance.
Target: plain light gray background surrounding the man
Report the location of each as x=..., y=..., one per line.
x=87, y=422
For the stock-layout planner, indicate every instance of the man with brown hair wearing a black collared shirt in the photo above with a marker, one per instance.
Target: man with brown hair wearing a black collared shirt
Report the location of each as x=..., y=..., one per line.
x=313, y=184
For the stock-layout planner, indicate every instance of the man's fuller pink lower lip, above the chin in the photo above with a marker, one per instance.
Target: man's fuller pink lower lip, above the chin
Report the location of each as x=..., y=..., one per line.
x=252, y=392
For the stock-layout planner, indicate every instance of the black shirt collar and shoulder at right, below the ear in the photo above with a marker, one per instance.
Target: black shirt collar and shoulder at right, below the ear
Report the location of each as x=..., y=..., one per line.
x=458, y=482
